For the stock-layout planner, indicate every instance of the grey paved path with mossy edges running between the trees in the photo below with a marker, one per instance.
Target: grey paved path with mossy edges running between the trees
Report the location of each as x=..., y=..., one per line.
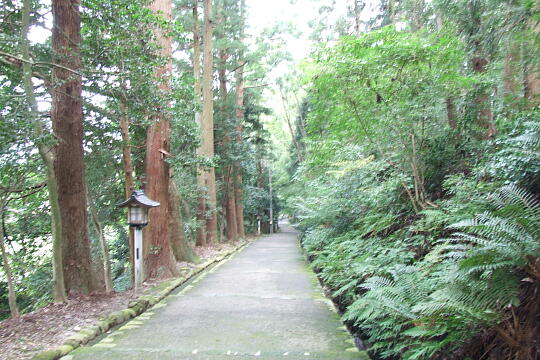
x=263, y=303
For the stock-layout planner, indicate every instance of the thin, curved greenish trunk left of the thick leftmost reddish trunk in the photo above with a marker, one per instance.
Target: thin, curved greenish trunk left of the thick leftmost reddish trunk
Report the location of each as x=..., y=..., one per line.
x=47, y=156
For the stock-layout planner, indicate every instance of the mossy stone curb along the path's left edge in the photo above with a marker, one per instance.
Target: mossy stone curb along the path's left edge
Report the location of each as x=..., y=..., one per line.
x=135, y=308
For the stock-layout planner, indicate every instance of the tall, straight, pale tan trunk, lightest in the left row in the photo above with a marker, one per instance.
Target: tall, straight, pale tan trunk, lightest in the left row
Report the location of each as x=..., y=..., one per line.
x=207, y=129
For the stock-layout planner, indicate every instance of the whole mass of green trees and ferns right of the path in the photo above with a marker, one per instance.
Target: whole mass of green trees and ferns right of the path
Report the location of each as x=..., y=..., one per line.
x=421, y=230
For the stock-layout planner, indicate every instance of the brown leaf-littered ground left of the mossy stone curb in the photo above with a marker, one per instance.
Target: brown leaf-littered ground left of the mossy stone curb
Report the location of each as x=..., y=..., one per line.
x=48, y=327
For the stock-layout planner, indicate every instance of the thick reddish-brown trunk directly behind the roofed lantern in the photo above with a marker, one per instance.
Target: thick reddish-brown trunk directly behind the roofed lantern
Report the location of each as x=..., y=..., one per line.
x=158, y=258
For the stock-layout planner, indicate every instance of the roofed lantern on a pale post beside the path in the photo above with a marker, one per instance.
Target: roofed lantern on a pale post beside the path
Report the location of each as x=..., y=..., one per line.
x=138, y=205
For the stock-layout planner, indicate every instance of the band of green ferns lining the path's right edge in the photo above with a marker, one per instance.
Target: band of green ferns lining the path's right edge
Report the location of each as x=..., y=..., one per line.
x=415, y=309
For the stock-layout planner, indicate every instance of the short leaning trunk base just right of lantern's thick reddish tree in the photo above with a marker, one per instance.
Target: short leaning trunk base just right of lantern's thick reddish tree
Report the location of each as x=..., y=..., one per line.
x=180, y=247
